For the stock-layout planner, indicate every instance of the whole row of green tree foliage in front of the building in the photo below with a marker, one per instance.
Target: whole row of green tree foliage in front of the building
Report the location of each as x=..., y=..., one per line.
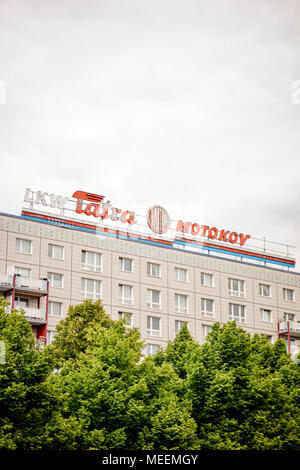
x=235, y=391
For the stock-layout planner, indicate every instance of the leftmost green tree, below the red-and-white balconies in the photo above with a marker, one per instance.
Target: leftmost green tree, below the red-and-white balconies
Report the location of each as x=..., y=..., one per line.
x=29, y=404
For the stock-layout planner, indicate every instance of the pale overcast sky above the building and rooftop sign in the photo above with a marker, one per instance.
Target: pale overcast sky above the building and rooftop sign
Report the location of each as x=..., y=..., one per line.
x=192, y=105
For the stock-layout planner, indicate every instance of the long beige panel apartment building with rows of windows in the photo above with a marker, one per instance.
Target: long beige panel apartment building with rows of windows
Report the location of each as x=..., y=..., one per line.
x=48, y=263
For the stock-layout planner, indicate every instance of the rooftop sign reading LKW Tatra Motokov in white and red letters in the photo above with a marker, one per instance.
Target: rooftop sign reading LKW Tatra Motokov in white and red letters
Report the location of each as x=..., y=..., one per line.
x=177, y=233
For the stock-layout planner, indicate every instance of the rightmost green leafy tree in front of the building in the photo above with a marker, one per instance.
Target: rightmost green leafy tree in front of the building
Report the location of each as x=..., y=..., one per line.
x=244, y=392
